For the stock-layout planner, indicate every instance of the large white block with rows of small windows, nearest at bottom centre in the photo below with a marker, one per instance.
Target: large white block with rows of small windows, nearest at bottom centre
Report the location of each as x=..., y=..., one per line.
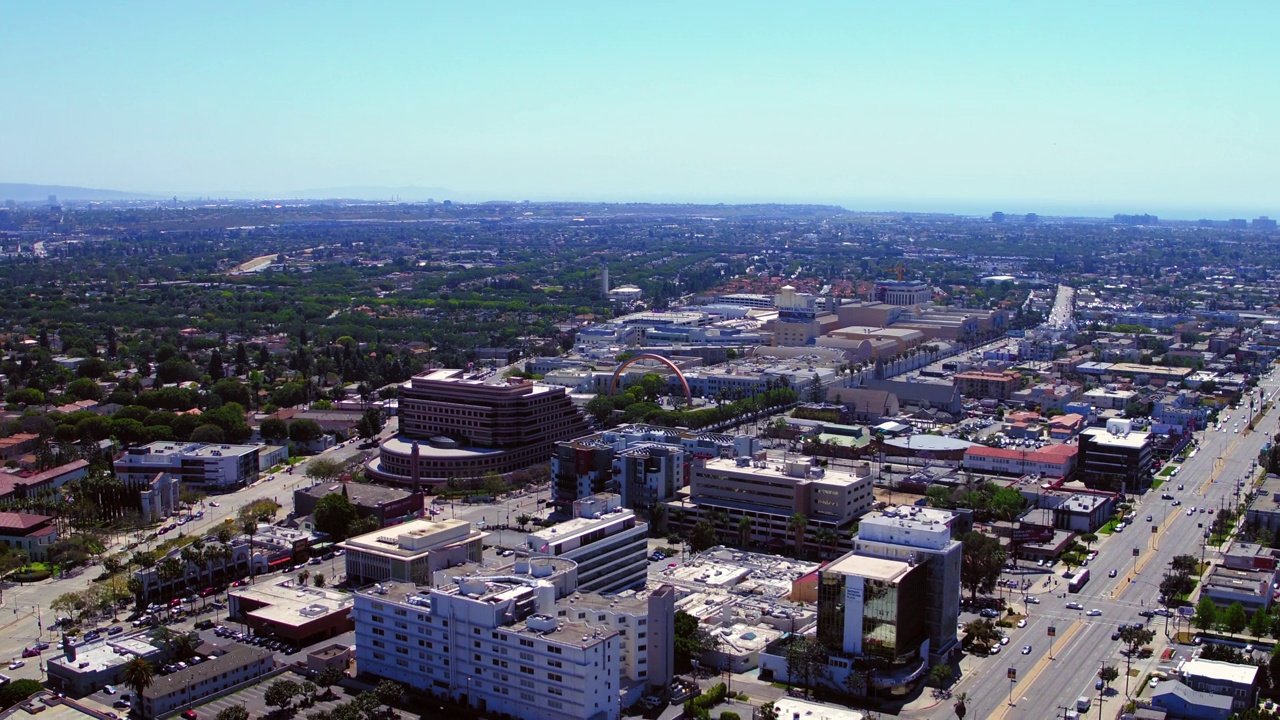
x=496, y=645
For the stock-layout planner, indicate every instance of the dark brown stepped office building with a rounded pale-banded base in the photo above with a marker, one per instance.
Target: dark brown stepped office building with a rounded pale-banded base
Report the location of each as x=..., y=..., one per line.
x=458, y=425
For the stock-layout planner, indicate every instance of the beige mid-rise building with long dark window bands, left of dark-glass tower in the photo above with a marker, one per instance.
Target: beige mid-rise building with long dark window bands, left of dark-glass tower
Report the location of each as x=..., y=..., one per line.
x=770, y=495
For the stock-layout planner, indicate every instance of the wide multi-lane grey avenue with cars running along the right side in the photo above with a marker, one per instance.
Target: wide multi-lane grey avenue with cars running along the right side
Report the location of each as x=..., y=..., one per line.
x=1084, y=644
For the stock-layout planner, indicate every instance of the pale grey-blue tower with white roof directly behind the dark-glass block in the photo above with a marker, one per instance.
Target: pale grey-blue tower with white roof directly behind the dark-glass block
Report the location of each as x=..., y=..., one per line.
x=924, y=537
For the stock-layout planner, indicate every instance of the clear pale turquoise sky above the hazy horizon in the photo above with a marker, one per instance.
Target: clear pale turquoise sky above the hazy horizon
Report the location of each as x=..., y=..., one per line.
x=1162, y=107
